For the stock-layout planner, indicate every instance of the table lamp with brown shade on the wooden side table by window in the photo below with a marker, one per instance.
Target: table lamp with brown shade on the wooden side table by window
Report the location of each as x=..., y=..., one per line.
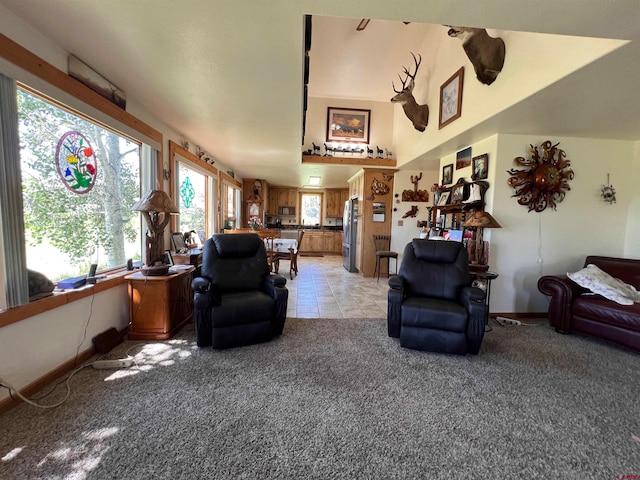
x=156, y=207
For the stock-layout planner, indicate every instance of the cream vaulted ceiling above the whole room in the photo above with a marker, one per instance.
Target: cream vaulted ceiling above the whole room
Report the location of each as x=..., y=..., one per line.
x=227, y=75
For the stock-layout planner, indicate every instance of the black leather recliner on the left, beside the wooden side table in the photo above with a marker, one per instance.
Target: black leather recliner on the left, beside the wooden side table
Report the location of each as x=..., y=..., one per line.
x=236, y=300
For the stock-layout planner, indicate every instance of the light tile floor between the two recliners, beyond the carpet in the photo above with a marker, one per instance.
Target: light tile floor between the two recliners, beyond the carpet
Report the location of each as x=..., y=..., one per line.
x=323, y=288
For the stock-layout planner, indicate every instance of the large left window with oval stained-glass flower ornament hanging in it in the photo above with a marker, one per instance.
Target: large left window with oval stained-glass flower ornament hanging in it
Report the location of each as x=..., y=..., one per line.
x=79, y=183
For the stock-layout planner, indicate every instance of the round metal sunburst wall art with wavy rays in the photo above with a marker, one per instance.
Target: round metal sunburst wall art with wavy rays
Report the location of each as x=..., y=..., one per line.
x=544, y=181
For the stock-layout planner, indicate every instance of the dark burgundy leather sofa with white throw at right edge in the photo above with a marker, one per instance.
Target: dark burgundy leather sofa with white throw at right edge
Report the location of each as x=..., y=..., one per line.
x=573, y=308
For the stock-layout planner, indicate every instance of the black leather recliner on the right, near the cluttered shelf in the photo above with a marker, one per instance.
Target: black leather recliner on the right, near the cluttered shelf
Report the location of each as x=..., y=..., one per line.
x=432, y=305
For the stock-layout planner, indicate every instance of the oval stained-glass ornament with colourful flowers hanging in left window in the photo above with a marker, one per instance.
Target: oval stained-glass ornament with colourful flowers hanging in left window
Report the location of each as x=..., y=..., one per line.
x=76, y=163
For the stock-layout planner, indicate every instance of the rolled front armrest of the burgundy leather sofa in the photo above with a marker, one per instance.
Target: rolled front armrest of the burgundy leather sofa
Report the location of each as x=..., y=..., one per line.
x=562, y=291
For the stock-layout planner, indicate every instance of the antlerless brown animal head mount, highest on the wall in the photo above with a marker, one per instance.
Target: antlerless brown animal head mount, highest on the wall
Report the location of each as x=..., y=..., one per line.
x=485, y=52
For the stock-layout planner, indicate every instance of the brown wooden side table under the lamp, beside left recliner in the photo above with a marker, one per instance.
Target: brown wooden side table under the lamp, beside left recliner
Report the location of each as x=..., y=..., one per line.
x=159, y=305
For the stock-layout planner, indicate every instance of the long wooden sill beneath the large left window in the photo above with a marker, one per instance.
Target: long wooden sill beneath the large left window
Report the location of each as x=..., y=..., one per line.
x=58, y=299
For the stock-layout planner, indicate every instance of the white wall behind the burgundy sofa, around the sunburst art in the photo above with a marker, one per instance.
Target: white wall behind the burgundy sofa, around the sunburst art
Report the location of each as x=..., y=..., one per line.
x=556, y=241
